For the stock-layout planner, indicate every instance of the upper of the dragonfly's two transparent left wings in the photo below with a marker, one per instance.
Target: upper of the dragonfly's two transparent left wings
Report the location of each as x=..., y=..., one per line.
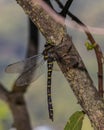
x=23, y=65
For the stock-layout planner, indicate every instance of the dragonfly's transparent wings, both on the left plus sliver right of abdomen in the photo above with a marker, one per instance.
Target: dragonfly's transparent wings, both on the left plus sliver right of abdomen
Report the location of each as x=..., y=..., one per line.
x=30, y=69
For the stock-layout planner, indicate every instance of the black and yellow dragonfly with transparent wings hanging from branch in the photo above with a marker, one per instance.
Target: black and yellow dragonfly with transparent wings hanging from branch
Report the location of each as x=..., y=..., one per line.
x=31, y=68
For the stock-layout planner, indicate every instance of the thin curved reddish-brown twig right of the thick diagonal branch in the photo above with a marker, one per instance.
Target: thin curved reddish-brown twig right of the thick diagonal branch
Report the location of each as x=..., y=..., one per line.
x=98, y=52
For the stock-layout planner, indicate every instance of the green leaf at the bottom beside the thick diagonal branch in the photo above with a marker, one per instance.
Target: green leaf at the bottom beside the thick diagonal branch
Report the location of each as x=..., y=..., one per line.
x=75, y=121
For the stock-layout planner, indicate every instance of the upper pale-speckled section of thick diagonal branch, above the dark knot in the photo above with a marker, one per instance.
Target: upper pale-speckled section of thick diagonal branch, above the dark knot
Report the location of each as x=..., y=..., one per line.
x=47, y=28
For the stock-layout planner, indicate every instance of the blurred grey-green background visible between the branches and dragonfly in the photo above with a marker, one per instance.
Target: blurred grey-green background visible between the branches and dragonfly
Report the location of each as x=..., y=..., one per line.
x=13, y=45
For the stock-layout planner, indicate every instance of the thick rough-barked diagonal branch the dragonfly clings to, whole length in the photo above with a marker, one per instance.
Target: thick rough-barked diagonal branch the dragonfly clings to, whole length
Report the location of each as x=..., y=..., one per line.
x=75, y=72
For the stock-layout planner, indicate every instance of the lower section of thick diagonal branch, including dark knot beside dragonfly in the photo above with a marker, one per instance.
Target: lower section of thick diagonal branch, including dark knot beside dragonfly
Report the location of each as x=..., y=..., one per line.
x=81, y=83
